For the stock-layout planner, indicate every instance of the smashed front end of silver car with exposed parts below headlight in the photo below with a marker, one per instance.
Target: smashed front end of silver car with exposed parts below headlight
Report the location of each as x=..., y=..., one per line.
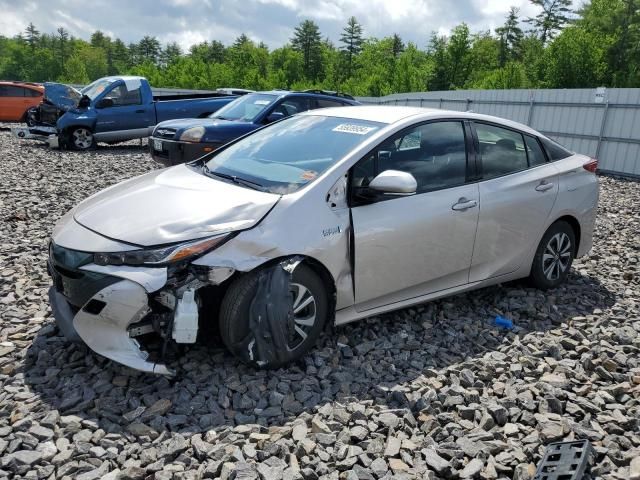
x=134, y=315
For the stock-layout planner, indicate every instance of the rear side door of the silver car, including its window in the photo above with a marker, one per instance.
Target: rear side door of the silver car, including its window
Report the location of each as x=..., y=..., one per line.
x=518, y=189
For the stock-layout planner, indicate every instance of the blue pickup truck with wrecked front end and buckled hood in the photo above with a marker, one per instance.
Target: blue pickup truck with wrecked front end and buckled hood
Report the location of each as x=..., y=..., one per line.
x=111, y=110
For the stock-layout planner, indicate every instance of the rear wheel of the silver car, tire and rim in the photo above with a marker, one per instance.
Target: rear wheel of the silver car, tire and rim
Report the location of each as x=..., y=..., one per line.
x=553, y=258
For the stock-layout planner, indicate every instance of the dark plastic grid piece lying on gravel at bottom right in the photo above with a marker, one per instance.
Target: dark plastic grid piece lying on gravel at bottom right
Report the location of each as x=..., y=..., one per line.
x=566, y=461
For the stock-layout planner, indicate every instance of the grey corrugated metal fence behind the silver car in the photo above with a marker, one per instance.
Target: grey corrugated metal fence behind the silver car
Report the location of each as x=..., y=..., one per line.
x=602, y=123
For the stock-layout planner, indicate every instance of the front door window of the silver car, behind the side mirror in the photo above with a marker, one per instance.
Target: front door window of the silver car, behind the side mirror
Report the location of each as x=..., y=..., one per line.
x=434, y=153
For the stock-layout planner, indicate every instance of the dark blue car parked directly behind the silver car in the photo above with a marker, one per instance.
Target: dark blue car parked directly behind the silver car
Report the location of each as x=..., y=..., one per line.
x=179, y=141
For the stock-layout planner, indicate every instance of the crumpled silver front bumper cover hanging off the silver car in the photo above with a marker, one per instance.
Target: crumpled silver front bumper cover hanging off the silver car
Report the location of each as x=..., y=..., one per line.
x=102, y=322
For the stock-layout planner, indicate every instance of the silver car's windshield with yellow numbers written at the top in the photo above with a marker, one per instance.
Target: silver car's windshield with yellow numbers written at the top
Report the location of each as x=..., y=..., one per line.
x=289, y=154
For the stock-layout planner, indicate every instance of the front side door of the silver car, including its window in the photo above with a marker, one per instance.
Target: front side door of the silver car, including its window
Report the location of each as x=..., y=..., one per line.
x=408, y=246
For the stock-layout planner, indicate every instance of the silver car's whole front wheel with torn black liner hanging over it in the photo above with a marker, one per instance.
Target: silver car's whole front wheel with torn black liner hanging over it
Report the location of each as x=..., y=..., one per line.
x=285, y=332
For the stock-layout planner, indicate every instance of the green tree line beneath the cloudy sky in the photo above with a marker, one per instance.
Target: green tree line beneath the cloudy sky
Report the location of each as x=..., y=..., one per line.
x=597, y=45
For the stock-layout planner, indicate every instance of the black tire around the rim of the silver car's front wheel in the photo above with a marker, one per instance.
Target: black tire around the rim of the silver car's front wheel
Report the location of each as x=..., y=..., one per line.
x=234, y=317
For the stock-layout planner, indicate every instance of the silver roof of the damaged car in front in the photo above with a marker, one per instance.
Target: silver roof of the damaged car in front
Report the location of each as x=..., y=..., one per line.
x=391, y=114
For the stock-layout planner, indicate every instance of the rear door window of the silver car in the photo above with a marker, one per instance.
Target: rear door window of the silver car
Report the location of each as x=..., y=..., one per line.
x=502, y=151
